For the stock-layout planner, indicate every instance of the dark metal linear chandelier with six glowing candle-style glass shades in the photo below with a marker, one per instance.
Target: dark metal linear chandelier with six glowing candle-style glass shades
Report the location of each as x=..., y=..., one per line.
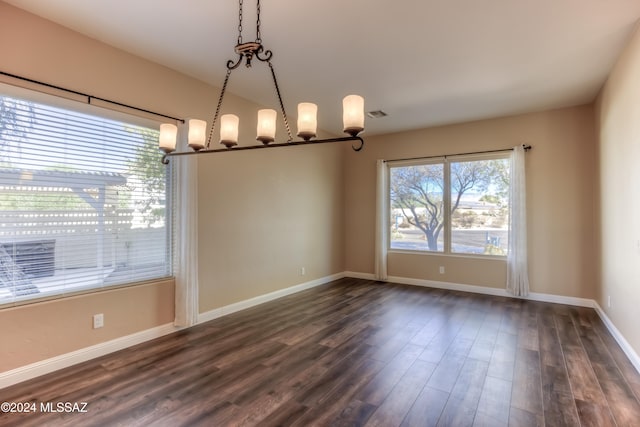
x=353, y=113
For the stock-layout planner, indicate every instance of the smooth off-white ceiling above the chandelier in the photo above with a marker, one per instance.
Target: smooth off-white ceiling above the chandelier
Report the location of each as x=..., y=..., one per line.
x=424, y=62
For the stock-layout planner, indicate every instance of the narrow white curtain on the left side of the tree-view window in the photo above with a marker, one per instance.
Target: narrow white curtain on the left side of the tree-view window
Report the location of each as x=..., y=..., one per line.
x=382, y=221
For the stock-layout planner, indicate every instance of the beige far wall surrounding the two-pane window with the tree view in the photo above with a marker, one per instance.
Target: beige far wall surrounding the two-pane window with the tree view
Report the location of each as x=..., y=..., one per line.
x=560, y=183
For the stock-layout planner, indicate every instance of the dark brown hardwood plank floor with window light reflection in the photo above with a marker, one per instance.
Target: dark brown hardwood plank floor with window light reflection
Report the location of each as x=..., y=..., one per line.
x=357, y=352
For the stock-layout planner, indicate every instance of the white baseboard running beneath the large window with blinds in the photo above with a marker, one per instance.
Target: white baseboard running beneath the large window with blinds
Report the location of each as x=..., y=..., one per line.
x=52, y=364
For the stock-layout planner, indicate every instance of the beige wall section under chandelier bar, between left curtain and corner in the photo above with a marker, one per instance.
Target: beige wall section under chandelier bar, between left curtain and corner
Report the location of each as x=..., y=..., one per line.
x=265, y=217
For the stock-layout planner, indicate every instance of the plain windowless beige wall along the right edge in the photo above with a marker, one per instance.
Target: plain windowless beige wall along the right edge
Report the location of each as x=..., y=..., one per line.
x=618, y=115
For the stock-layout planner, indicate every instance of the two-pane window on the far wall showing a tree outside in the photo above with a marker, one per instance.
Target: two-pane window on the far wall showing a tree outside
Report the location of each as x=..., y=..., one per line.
x=457, y=206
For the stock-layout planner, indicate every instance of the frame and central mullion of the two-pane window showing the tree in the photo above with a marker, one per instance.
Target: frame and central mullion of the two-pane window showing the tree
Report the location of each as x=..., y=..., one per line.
x=447, y=230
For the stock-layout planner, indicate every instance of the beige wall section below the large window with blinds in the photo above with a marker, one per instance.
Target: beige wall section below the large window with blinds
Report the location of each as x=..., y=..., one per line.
x=39, y=331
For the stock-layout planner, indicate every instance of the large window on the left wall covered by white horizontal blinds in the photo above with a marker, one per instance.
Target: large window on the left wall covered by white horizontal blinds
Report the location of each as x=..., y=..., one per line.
x=83, y=198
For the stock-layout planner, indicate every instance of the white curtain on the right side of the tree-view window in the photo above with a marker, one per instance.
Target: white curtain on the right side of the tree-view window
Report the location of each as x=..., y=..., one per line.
x=517, y=268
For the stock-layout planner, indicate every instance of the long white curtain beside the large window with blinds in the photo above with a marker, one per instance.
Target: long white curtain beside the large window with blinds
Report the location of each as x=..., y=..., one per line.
x=186, y=234
